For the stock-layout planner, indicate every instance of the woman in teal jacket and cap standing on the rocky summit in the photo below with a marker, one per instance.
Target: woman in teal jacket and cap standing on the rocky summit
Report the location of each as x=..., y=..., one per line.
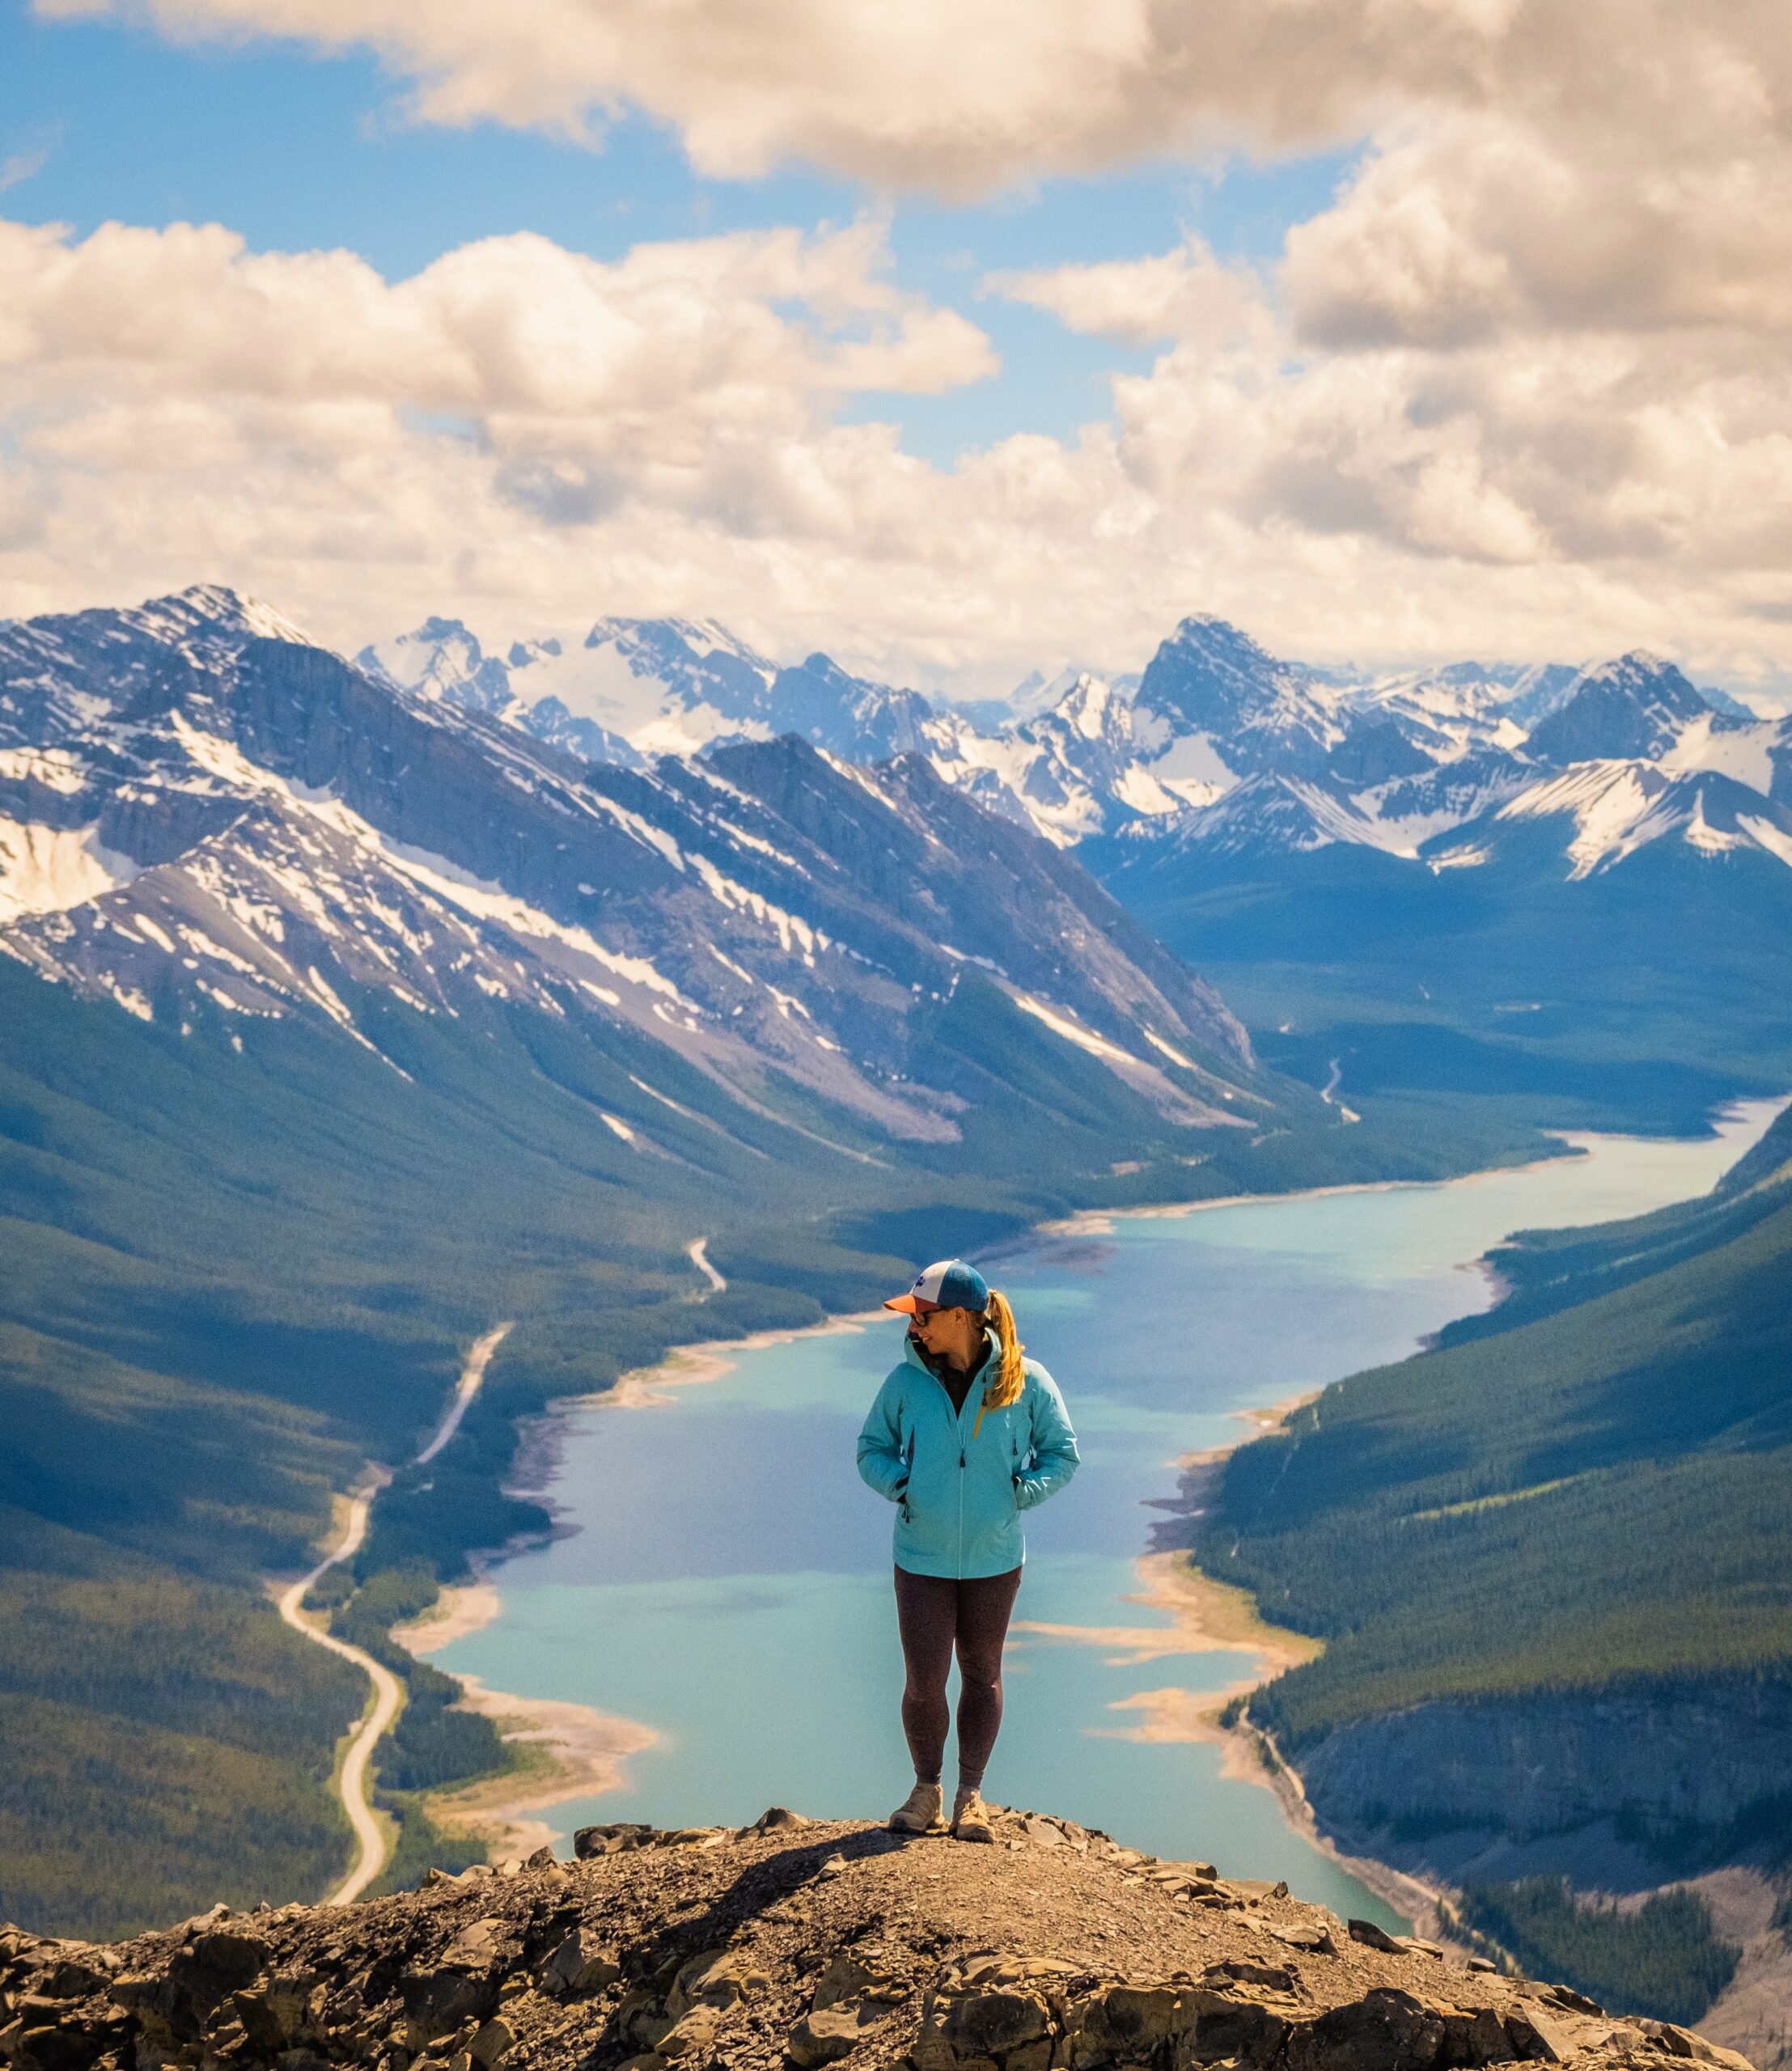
x=964, y=1436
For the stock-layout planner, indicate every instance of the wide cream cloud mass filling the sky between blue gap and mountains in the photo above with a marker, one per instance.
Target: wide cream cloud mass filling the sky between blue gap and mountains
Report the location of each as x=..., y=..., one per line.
x=531, y=438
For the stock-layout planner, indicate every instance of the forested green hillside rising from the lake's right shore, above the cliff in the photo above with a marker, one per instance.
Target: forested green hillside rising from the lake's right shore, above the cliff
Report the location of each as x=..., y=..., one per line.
x=1600, y=1494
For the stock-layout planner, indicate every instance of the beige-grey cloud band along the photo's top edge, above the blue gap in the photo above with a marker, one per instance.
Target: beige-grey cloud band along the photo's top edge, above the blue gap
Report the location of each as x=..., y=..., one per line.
x=969, y=94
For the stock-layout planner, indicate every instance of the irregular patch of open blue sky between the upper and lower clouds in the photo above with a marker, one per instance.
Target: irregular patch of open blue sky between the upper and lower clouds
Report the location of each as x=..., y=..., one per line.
x=301, y=152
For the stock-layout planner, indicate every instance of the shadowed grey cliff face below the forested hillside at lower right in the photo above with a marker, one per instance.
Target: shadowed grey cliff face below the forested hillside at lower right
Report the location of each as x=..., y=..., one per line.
x=1439, y=1782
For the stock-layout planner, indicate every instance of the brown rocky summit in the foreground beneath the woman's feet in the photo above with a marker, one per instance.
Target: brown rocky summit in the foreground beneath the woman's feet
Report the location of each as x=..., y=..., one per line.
x=807, y=1944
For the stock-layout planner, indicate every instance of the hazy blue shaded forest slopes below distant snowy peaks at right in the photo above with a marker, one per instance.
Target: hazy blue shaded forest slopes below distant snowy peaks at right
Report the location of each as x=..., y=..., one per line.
x=1507, y=989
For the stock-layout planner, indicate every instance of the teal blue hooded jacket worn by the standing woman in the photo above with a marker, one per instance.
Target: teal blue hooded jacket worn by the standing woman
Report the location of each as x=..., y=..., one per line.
x=962, y=1480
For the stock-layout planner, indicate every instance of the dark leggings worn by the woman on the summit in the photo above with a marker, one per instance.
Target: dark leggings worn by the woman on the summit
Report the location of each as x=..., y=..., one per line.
x=937, y=1614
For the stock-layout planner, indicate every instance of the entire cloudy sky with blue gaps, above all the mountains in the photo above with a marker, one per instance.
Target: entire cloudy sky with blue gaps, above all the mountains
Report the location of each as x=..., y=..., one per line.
x=1472, y=363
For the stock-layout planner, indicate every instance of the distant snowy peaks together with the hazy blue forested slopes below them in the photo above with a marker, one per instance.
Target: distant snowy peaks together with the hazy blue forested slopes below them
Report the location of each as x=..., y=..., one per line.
x=1544, y=894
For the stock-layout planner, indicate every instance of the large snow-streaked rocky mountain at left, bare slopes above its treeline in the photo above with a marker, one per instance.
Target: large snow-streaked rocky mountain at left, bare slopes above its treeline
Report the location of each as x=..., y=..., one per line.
x=219, y=823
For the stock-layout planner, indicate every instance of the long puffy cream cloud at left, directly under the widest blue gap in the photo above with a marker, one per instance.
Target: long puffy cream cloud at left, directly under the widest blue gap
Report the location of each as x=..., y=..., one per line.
x=515, y=328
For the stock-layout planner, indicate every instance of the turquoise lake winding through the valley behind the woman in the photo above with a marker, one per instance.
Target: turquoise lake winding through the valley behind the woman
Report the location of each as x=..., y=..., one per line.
x=726, y=1579
